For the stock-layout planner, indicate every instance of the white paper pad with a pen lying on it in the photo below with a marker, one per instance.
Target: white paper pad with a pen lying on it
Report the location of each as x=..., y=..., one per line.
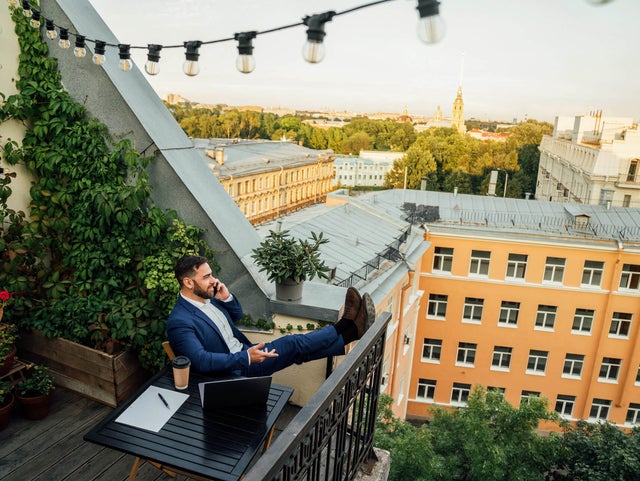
x=149, y=412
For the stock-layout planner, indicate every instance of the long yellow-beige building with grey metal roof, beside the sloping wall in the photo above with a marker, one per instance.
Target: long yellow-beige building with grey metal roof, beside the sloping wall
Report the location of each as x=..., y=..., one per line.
x=267, y=179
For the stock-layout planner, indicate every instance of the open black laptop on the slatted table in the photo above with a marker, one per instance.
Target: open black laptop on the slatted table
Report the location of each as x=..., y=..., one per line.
x=234, y=392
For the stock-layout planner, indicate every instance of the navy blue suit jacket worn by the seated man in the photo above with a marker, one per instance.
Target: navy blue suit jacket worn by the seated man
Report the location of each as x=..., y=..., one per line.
x=192, y=334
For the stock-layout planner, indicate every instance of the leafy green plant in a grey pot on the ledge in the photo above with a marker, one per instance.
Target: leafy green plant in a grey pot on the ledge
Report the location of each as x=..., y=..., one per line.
x=289, y=261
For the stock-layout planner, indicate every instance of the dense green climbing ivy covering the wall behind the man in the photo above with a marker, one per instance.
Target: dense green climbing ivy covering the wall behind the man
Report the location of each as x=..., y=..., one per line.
x=94, y=257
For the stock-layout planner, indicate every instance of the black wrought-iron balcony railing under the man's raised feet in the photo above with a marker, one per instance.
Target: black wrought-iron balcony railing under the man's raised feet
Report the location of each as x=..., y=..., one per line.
x=332, y=435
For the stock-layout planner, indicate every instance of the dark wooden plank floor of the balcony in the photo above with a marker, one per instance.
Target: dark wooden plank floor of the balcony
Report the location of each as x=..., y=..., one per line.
x=52, y=449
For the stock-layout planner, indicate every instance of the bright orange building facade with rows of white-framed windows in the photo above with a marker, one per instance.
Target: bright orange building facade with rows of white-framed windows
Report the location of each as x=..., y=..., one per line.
x=532, y=316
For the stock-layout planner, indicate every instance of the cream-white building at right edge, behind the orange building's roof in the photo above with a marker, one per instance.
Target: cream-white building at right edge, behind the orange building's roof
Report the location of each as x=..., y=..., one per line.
x=591, y=159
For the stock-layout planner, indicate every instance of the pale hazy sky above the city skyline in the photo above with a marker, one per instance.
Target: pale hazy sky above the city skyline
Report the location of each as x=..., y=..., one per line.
x=514, y=59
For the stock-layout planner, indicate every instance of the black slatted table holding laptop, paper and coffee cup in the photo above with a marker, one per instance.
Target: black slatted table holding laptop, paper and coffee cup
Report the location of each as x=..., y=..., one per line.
x=217, y=445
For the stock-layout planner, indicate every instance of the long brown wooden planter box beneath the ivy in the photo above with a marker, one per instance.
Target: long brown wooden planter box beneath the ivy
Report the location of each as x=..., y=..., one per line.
x=103, y=377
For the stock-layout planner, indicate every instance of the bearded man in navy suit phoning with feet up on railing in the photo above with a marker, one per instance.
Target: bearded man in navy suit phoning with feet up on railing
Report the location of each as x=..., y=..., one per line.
x=201, y=327
